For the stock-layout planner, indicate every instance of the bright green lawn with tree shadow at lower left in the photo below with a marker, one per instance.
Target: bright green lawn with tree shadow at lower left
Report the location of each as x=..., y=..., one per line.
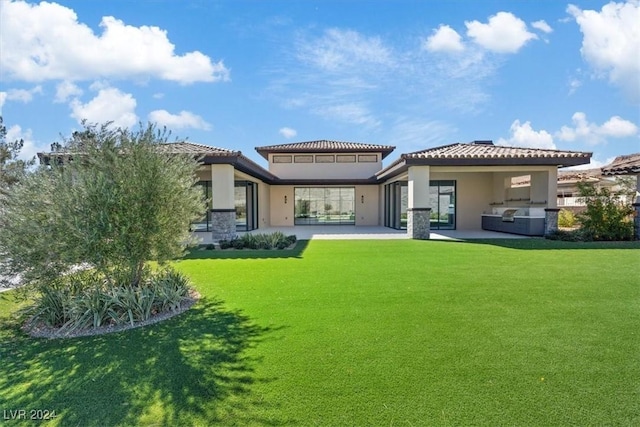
x=508, y=332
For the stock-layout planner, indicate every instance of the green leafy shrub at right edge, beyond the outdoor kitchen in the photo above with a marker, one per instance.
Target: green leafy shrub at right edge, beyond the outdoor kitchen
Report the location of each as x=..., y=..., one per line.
x=607, y=215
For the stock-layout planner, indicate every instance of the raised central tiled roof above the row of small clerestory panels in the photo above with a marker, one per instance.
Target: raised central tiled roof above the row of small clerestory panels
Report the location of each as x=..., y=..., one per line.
x=325, y=146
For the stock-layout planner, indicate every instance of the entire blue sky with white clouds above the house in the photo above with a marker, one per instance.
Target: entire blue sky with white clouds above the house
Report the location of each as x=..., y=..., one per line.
x=413, y=74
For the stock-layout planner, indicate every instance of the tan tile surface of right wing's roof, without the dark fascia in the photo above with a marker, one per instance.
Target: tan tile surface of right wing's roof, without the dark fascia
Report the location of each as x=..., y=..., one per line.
x=486, y=150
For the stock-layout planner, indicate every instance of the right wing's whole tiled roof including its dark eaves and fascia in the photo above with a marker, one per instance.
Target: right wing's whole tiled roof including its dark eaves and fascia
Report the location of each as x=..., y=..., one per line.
x=484, y=153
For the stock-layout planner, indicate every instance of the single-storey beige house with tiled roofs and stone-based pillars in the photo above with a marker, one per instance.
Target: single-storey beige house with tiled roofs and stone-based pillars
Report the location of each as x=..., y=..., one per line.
x=462, y=186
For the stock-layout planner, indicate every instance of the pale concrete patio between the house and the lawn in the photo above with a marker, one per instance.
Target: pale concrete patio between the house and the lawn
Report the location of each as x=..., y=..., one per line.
x=350, y=232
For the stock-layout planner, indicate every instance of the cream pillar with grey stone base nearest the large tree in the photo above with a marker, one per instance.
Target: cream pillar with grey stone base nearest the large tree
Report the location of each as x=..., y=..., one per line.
x=223, y=211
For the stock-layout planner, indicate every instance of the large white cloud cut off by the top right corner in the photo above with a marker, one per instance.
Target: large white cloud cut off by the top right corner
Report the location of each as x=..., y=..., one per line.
x=611, y=42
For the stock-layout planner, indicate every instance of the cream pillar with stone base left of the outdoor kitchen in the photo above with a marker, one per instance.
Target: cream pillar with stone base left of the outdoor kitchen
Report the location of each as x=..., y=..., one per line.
x=418, y=210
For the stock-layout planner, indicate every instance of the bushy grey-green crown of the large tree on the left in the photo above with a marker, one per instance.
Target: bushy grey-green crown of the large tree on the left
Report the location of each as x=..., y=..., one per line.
x=111, y=199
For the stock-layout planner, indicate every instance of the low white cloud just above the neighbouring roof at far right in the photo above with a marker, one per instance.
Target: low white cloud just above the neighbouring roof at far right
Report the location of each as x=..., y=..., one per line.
x=591, y=133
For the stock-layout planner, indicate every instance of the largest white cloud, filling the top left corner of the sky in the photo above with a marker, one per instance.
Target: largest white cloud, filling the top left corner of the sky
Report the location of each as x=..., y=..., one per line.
x=46, y=41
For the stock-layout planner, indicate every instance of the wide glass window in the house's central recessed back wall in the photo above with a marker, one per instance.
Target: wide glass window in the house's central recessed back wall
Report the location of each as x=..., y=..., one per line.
x=324, y=206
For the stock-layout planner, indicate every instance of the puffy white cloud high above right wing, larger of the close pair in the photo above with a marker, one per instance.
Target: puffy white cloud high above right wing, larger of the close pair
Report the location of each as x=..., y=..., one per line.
x=505, y=33
